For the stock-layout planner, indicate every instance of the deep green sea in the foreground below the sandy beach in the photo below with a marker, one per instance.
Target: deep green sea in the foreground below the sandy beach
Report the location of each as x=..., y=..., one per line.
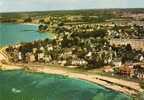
x=20, y=85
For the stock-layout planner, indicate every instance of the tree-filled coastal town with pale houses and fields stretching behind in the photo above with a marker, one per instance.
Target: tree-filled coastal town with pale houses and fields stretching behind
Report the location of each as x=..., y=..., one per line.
x=109, y=40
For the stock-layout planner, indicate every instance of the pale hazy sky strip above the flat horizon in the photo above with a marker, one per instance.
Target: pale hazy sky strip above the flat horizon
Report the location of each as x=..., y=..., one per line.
x=38, y=5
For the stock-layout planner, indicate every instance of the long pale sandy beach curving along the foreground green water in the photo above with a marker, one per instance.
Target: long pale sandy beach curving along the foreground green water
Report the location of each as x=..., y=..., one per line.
x=122, y=86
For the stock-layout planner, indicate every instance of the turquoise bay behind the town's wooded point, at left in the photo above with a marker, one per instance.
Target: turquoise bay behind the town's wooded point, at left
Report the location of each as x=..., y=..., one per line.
x=14, y=33
